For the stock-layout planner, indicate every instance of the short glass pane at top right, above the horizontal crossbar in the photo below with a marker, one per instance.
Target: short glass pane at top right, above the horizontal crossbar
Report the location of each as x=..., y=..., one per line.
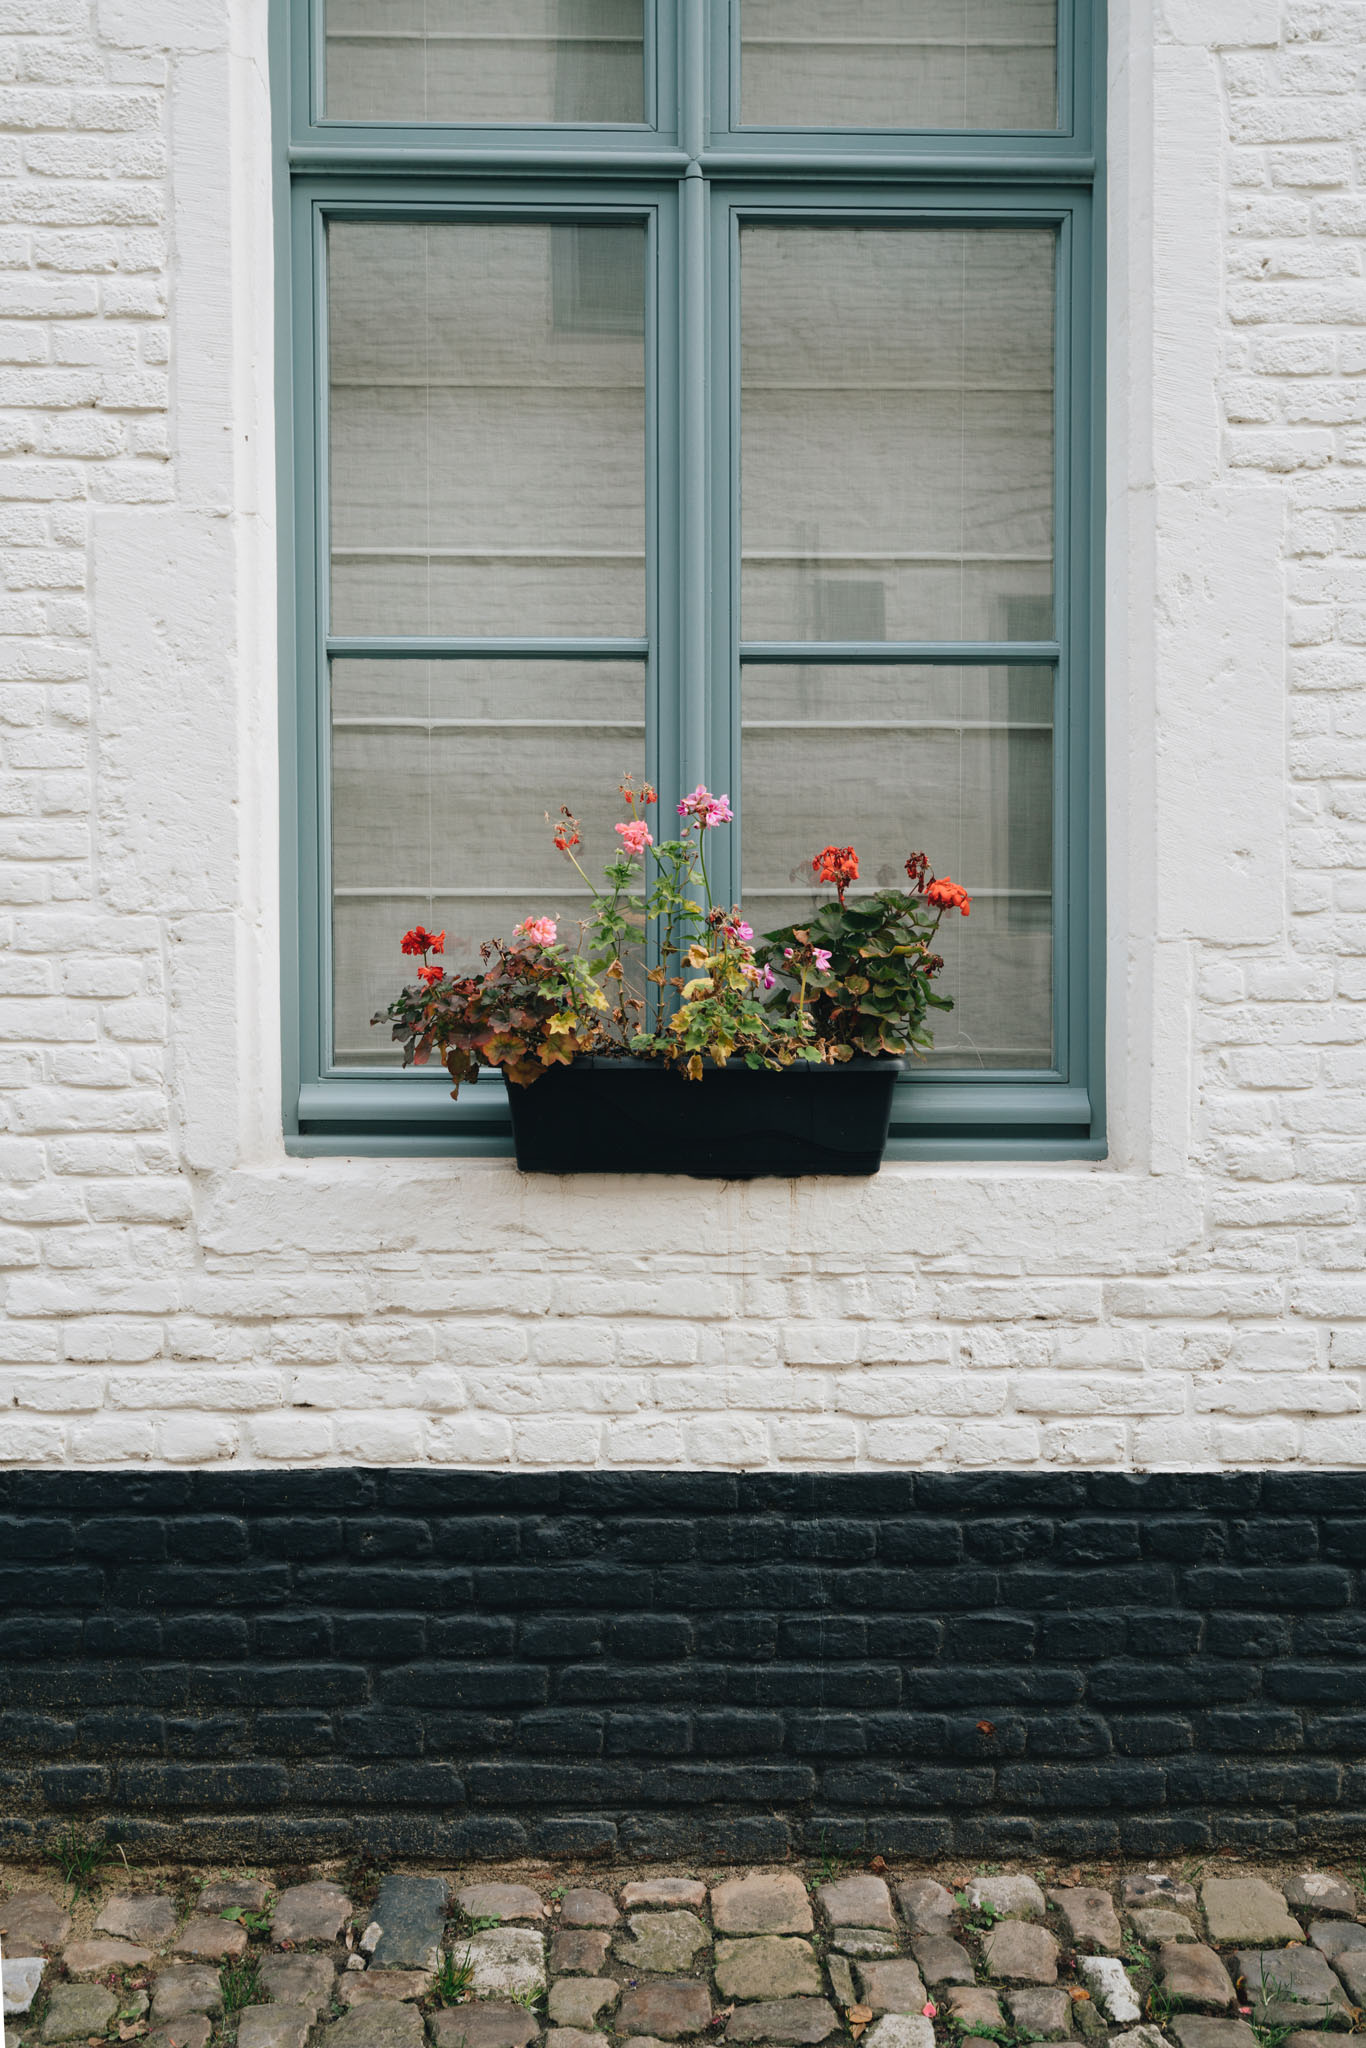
x=900, y=65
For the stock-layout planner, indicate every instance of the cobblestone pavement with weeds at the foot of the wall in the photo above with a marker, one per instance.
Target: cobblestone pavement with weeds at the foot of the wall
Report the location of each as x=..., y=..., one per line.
x=351, y=1957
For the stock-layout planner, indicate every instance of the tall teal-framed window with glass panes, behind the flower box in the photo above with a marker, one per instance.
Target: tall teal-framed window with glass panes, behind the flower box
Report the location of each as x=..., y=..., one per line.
x=708, y=390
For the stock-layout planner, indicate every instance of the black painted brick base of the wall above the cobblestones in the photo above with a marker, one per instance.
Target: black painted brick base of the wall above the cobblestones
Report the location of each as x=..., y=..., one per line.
x=652, y=1666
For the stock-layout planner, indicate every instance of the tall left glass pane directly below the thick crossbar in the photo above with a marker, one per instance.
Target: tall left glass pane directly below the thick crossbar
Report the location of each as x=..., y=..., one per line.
x=488, y=429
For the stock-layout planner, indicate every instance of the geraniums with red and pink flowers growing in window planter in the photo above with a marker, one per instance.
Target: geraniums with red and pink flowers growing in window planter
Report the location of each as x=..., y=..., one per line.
x=851, y=980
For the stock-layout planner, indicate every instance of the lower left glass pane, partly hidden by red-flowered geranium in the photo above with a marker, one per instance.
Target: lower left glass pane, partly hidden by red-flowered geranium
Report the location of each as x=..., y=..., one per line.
x=441, y=779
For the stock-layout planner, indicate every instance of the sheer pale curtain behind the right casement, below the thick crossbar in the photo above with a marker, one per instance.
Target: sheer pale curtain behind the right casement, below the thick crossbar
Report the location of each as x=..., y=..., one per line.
x=898, y=486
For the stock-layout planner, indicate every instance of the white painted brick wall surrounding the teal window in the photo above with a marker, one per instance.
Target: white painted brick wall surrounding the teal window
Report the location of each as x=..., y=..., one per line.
x=177, y=1291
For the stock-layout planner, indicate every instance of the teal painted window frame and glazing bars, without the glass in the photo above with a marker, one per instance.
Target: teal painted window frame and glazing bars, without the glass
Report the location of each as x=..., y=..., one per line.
x=693, y=177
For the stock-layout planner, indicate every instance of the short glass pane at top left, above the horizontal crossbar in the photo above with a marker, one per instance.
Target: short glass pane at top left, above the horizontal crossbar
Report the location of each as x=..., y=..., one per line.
x=486, y=60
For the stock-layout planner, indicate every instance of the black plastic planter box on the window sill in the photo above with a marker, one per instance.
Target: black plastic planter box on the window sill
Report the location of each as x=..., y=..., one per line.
x=640, y=1117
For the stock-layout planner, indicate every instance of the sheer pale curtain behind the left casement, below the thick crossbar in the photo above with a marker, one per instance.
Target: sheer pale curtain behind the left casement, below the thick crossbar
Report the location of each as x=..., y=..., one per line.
x=488, y=478
